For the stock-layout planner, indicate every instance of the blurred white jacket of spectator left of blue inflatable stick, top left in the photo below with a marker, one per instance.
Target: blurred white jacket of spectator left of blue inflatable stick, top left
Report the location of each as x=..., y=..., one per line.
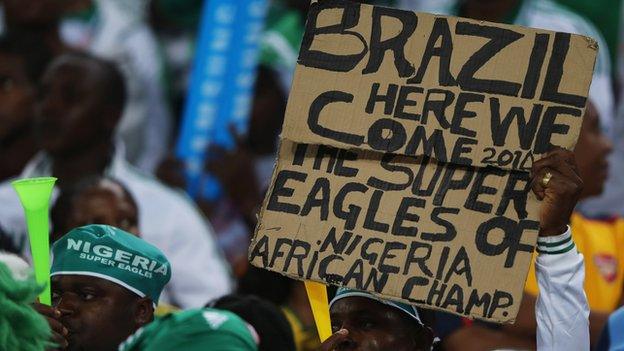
x=119, y=32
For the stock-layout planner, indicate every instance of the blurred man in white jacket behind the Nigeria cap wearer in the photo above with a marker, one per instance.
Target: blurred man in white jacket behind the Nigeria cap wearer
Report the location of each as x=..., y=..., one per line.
x=81, y=101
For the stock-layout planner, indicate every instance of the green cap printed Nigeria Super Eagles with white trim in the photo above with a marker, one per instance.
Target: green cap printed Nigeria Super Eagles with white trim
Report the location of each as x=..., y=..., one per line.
x=110, y=253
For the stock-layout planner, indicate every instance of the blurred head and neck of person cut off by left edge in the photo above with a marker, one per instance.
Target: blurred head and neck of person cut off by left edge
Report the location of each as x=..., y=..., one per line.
x=17, y=95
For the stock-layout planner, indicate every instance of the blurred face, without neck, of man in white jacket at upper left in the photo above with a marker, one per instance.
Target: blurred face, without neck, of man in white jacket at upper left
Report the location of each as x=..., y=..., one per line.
x=69, y=109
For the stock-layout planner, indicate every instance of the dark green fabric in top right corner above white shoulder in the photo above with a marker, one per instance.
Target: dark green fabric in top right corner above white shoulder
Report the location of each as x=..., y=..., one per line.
x=605, y=15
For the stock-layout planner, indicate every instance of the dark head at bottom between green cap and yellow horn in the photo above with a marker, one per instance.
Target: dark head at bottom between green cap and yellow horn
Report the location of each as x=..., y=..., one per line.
x=266, y=318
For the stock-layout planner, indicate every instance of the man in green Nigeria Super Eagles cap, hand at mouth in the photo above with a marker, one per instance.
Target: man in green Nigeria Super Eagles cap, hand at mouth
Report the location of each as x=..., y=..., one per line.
x=105, y=285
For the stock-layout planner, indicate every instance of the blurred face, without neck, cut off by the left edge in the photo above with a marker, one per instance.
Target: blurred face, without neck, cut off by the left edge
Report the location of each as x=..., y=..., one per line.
x=16, y=97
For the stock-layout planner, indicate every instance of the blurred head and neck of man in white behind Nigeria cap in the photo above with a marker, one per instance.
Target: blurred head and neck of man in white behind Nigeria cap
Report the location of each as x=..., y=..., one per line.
x=75, y=122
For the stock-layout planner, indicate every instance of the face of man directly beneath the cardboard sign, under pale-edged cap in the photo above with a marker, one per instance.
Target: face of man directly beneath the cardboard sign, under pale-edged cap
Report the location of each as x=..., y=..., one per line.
x=374, y=326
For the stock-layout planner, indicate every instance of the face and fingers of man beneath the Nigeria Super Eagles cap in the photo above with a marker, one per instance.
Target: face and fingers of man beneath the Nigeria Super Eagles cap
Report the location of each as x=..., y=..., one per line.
x=90, y=313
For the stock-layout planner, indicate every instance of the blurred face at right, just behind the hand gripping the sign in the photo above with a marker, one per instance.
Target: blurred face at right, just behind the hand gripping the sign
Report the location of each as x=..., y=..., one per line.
x=591, y=153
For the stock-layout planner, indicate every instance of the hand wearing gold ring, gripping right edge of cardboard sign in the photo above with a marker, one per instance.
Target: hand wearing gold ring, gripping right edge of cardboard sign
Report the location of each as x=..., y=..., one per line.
x=557, y=183
